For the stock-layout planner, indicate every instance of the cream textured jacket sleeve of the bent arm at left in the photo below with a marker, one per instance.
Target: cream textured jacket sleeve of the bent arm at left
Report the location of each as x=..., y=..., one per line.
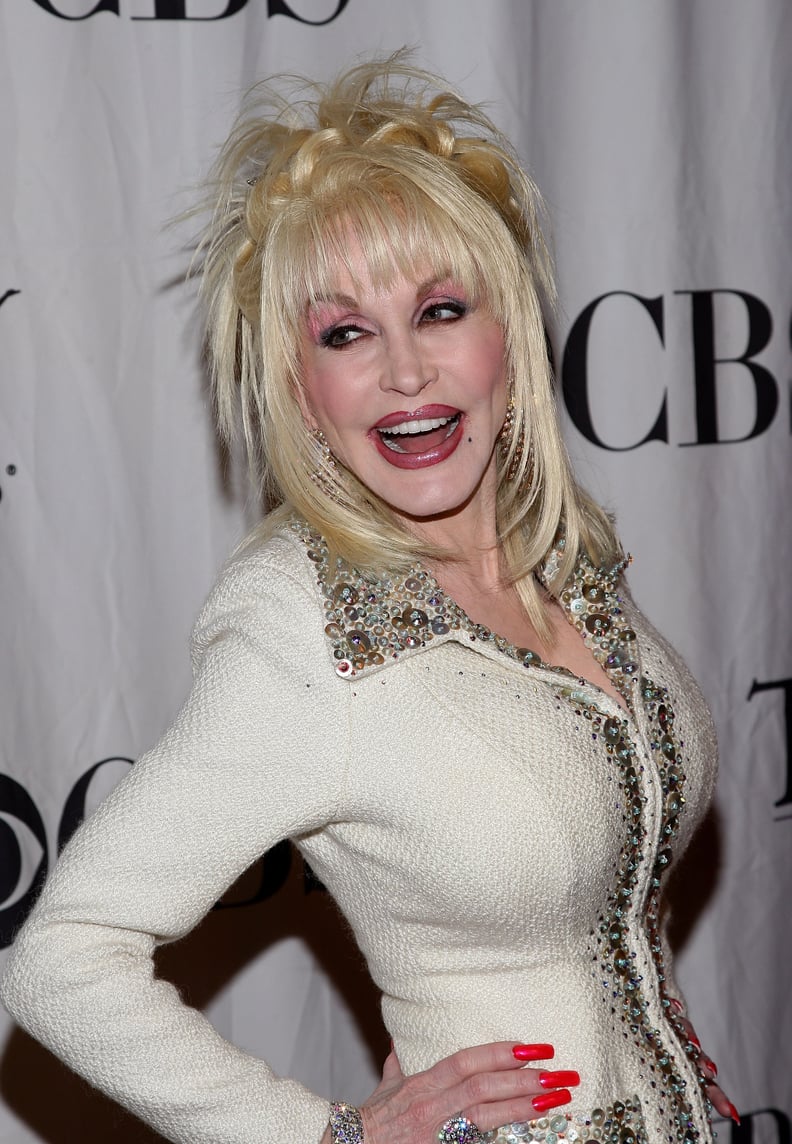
x=247, y=764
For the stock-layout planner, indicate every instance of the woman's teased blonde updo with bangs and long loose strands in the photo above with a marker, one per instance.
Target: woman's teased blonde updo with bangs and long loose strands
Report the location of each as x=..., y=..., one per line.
x=424, y=184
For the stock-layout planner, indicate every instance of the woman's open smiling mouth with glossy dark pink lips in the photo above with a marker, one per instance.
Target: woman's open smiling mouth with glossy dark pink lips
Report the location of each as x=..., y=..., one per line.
x=423, y=438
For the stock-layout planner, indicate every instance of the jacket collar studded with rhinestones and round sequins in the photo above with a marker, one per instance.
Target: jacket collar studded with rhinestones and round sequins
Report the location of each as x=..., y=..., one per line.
x=373, y=622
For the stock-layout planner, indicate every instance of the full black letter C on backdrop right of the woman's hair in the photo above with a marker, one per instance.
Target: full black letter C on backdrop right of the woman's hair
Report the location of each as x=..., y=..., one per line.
x=575, y=372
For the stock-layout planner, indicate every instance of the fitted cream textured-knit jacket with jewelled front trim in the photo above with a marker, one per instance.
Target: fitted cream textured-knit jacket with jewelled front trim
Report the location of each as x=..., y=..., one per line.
x=496, y=833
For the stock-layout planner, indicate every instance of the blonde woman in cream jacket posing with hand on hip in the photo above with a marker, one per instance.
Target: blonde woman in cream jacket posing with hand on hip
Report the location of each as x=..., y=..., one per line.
x=501, y=758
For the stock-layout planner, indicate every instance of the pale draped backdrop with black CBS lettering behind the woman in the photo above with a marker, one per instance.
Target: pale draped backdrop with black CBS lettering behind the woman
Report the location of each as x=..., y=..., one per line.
x=661, y=133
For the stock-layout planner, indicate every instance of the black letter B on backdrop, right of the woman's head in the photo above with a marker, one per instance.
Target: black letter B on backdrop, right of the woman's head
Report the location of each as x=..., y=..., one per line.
x=706, y=363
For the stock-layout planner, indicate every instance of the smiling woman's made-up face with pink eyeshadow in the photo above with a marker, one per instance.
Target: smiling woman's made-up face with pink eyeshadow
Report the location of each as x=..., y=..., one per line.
x=409, y=387
